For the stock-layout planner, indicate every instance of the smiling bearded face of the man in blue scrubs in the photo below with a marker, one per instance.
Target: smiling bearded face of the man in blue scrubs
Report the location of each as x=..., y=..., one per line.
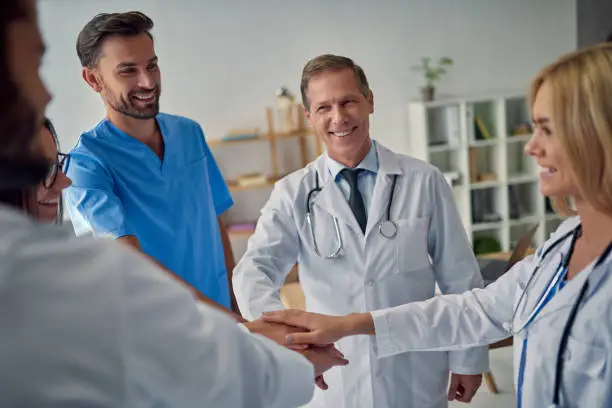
x=127, y=76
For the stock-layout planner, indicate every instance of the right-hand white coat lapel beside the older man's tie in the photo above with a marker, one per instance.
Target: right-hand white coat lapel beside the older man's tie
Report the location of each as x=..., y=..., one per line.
x=388, y=167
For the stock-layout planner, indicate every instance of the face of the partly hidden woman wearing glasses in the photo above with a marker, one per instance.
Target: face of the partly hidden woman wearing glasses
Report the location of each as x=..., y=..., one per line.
x=49, y=193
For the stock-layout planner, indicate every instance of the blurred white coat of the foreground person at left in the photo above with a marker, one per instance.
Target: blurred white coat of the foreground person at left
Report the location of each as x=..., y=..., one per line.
x=88, y=323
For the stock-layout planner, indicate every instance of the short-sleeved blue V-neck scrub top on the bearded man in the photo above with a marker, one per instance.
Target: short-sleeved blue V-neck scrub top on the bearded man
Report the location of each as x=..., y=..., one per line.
x=121, y=187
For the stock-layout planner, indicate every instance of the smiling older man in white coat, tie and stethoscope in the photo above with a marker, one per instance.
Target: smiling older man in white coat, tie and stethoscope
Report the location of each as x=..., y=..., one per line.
x=370, y=229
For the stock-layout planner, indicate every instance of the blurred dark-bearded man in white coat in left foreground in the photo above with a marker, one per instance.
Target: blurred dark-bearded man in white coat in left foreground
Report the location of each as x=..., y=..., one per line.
x=91, y=323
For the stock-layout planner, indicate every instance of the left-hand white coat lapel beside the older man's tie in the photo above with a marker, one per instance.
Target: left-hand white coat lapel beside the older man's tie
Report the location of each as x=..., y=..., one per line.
x=331, y=200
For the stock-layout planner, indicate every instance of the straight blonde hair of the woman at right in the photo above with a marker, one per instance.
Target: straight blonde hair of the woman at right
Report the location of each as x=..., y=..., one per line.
x=581, y=86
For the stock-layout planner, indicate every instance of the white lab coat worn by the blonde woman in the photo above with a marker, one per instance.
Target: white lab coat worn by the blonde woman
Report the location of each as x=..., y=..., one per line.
x=482, y=316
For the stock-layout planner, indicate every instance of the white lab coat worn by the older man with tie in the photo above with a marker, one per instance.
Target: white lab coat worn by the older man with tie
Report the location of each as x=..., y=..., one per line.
x=372, y=273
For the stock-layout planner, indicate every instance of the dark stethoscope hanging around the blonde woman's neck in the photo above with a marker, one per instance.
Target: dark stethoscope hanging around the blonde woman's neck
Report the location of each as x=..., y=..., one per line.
x=575, y=234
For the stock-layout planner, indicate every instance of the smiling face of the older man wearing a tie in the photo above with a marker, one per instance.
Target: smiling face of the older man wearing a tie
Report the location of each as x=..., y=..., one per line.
x=339, y=113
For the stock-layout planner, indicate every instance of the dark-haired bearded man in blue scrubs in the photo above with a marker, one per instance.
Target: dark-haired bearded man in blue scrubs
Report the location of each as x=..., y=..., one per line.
x=143, y=177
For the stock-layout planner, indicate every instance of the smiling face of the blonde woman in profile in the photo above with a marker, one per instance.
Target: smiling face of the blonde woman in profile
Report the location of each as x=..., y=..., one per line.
x=556, y=177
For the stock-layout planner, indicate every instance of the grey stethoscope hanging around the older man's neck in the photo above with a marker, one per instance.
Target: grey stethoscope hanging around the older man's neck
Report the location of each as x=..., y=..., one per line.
x=387, y=228
